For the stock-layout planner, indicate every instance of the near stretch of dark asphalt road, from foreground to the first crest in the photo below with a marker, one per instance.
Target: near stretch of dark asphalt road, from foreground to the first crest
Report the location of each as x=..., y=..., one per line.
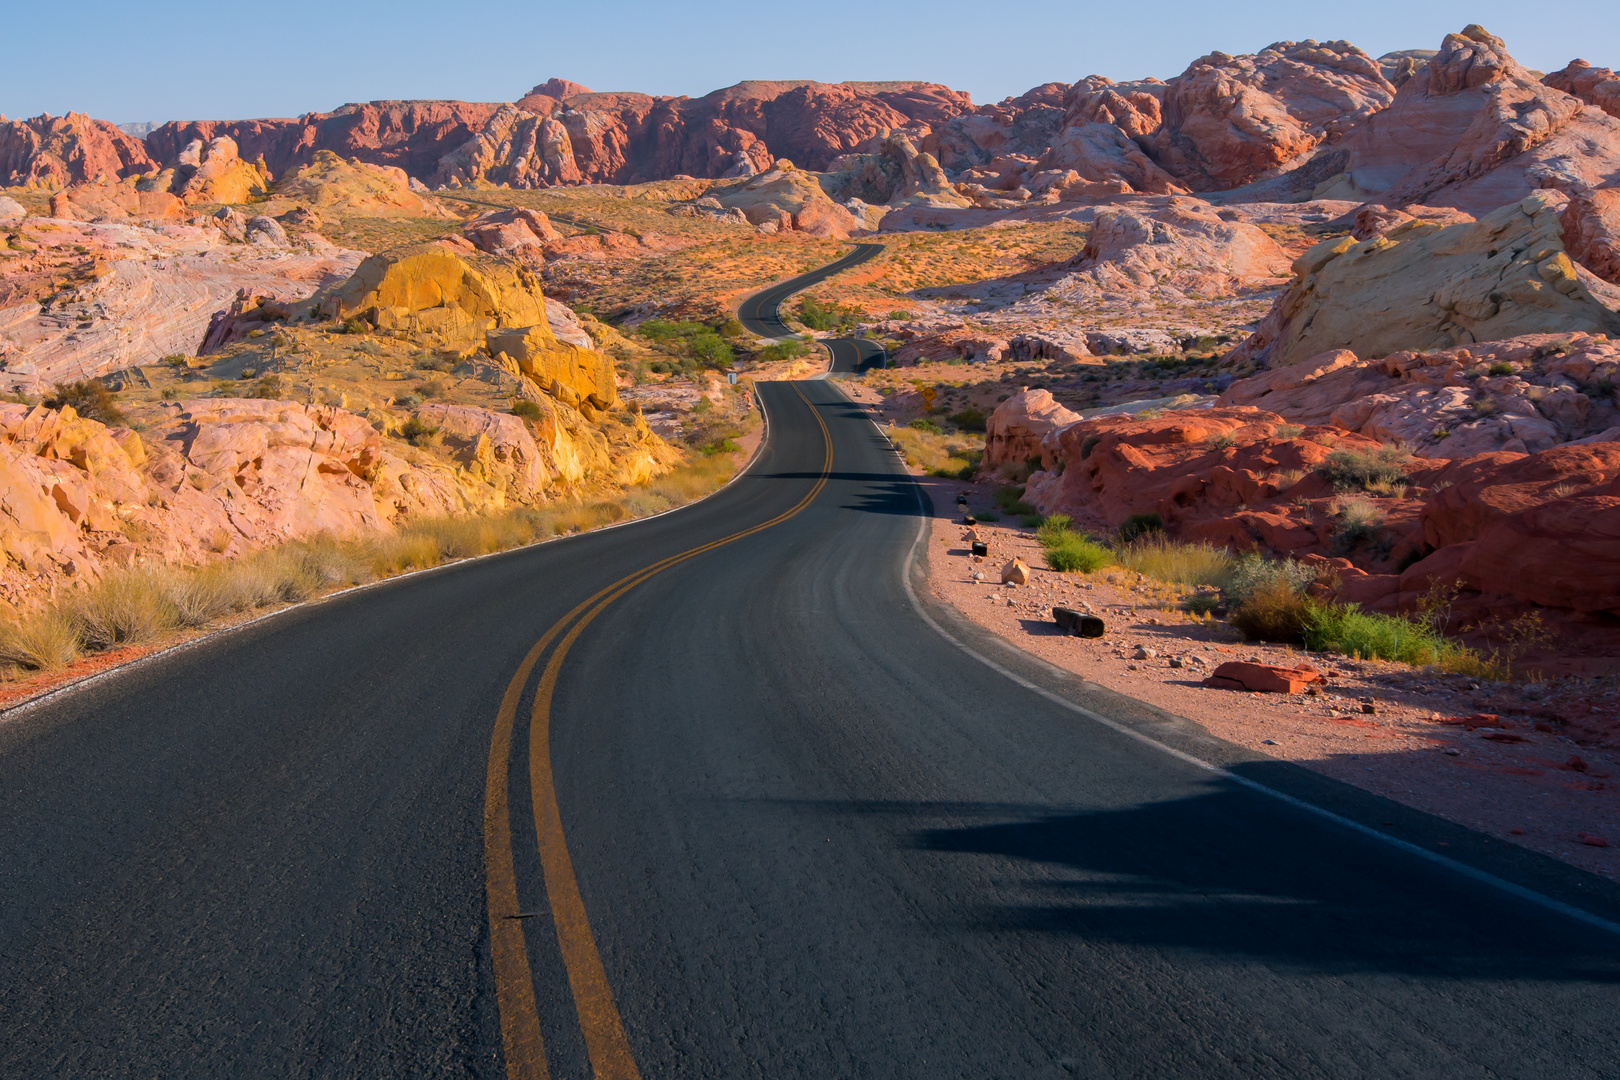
x=804, y=835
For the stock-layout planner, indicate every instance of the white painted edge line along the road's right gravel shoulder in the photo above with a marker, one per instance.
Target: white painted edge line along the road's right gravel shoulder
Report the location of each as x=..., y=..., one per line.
x=1355, y=827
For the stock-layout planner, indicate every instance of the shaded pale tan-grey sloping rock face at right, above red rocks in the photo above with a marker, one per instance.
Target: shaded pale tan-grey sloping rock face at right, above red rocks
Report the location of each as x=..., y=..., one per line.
x=1426, y=287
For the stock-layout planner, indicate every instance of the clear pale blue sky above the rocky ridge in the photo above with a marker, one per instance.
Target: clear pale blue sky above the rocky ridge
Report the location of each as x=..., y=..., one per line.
x=189, y=61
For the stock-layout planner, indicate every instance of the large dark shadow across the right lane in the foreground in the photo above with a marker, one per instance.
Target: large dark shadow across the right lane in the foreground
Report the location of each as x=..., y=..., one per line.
x=1221, y=875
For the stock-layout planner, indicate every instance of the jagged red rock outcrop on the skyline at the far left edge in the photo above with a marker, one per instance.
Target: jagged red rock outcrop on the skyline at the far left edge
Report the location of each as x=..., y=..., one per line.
x=59, y=151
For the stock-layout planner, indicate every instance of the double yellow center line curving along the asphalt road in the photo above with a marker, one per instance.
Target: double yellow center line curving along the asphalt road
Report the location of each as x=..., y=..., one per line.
x=521, y=1039
